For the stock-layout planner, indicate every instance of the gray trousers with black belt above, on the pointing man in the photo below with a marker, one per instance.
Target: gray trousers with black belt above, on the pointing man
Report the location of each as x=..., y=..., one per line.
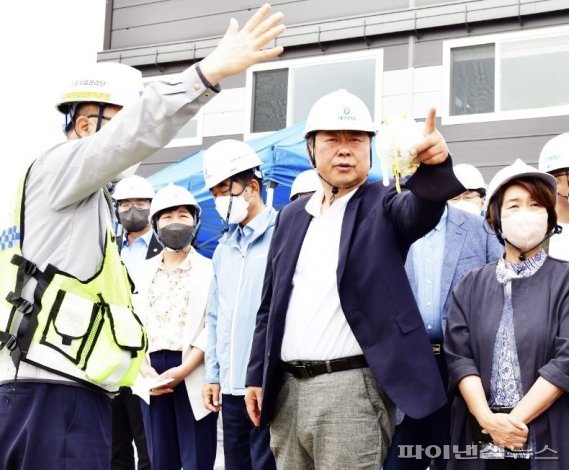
x=334, y=421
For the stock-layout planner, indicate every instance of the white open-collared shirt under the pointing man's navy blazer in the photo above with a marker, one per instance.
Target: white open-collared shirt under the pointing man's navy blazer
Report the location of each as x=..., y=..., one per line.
x=316, y=327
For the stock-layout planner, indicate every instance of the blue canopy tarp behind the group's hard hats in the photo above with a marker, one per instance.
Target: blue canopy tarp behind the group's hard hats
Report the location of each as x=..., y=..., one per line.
x=284, y=156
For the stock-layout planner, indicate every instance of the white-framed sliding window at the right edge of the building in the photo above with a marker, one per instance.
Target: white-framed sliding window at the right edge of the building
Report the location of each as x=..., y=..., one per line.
x=509, y=76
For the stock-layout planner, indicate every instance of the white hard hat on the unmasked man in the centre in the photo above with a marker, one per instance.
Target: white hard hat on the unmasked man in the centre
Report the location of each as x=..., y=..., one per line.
x=339, y=111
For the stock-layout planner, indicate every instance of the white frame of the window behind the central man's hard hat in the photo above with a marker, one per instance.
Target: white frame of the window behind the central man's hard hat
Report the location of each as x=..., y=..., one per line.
x=376, y=54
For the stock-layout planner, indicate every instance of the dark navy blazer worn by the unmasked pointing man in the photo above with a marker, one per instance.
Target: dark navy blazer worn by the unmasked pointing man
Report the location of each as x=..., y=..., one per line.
x=378, y=227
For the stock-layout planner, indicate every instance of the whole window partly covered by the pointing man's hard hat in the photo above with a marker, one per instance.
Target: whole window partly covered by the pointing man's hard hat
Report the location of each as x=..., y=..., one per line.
x=282, y=93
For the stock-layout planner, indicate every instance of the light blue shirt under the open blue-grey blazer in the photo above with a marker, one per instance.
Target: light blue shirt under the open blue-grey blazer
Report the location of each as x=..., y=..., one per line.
x=428, y=255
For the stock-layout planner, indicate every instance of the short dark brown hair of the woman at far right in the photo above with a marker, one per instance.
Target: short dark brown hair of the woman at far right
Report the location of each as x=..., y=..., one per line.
x=540, y=191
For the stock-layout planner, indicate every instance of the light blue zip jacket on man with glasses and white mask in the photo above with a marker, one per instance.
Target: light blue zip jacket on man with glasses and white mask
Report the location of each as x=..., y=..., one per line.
x=235, y=296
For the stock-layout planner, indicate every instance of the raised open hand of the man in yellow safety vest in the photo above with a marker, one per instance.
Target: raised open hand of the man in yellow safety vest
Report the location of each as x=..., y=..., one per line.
x=239, y=49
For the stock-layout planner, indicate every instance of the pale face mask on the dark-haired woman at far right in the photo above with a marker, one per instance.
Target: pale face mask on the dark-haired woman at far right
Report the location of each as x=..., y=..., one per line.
x=525, y=229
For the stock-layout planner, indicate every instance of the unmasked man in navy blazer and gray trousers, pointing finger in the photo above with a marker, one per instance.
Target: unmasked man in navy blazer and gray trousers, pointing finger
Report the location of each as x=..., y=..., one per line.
x=335, y=282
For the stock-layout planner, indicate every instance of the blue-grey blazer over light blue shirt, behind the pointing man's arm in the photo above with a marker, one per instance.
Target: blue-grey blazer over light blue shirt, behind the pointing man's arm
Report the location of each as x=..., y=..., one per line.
x=469, y=244
